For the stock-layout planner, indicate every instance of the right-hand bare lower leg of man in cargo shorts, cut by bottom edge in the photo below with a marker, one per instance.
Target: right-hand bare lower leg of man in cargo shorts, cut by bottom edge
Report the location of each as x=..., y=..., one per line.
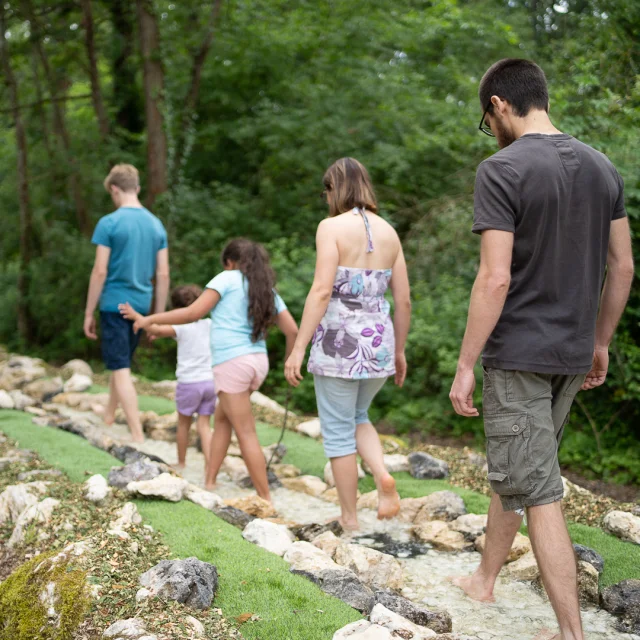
x=556, y=560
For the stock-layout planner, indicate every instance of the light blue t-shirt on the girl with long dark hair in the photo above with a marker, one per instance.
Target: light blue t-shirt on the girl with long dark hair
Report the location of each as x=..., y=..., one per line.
x=230, y=328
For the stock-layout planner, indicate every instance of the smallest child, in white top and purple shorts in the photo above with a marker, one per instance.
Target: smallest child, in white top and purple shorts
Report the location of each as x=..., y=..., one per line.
x=195, y=393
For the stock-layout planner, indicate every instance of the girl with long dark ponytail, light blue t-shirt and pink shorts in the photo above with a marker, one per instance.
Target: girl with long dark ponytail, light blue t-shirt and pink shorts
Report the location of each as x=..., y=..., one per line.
x=243, y=305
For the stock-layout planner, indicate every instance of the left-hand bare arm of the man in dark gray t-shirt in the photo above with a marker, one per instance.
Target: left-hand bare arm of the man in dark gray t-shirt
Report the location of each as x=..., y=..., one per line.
x=487, y=301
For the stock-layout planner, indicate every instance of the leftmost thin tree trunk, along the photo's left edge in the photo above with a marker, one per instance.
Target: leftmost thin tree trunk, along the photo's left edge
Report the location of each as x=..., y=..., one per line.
x=25, y=328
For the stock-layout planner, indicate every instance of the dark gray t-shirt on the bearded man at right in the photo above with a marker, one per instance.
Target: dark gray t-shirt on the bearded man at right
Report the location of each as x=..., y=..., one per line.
x=558, y=197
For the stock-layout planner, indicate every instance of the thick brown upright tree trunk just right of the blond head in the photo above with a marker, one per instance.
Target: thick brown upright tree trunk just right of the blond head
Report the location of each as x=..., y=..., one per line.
x=153, y=74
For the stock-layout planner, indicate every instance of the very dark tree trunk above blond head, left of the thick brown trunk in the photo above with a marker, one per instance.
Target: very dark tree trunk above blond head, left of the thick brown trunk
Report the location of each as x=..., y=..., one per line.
x=126, y=97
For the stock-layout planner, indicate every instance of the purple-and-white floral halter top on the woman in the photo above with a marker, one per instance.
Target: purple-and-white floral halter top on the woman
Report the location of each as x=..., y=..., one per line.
x=355, y=338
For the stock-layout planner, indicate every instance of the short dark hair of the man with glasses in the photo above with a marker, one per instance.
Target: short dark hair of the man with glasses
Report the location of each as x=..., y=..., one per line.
x=521, y=83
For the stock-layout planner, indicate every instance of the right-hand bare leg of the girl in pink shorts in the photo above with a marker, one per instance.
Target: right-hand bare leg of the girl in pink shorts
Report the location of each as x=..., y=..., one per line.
x=237, y=407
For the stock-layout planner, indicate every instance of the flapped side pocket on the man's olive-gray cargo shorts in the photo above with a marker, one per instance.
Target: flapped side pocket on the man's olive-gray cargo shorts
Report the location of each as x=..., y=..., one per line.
x=508, y=453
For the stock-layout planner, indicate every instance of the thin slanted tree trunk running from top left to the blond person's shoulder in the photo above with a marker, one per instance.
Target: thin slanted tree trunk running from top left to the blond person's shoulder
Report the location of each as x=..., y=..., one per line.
x=59, y=124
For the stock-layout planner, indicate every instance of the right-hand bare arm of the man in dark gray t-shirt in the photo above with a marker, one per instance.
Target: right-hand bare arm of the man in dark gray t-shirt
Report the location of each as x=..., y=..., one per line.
x=615, y=294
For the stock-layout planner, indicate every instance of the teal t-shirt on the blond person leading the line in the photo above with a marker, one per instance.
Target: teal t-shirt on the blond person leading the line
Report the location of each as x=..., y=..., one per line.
x=134, y=236
